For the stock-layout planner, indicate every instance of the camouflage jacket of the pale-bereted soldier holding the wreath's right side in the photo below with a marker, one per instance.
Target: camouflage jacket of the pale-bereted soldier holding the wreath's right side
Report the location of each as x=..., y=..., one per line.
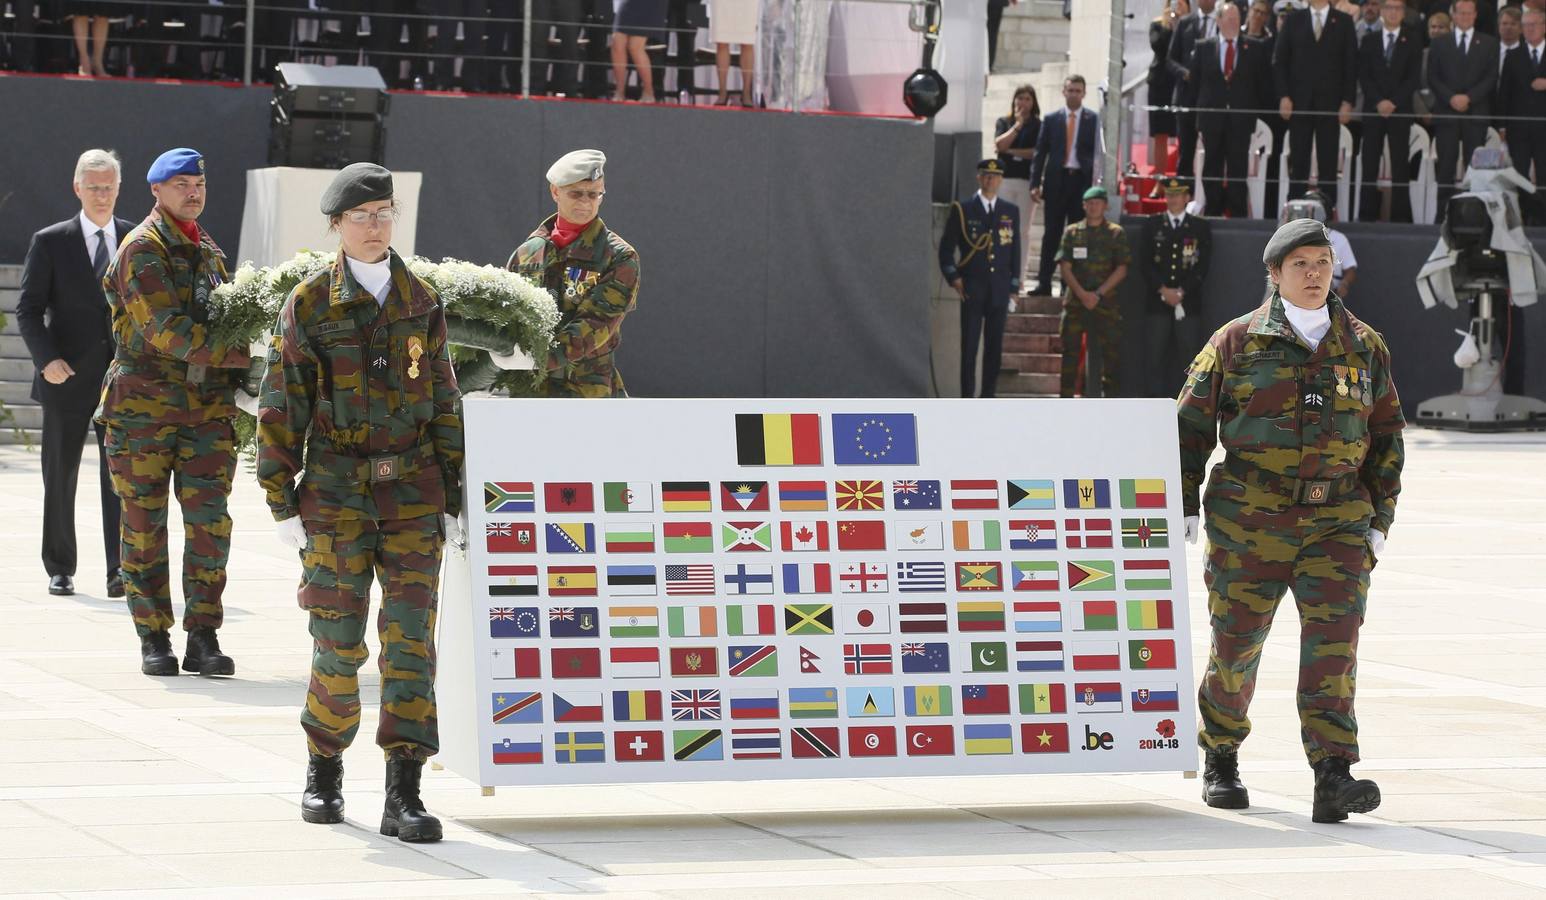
x=596, y=281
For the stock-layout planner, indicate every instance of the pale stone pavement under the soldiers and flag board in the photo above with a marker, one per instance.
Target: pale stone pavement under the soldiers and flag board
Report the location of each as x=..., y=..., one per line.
x=114, y=785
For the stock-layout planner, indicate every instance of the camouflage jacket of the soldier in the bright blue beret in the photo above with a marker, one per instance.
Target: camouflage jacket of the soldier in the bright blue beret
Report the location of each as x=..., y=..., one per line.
x=166, y=369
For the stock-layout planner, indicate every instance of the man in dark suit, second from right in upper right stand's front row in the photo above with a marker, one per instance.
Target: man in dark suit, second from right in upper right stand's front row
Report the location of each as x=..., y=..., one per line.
x=1463, y=72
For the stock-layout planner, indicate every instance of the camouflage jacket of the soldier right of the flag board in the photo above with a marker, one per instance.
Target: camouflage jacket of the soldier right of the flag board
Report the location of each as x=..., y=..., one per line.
x=1279, y=407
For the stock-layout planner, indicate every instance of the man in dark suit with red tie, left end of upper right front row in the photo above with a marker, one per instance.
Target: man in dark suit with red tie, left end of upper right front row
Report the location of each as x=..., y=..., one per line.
x=1231, y=75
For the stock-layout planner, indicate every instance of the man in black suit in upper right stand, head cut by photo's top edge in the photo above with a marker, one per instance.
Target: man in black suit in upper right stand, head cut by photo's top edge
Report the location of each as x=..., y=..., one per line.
x=1315, y=70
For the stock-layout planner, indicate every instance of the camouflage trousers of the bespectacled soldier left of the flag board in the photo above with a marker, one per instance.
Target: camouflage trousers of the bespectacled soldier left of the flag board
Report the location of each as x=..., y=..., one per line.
x=338, y=567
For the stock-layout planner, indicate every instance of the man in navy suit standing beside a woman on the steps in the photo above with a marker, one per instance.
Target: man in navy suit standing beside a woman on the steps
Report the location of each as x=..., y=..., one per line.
x=1071, y=137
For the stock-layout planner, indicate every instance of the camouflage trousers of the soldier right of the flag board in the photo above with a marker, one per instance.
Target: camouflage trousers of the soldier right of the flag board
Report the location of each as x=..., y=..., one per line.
x=1259, y=547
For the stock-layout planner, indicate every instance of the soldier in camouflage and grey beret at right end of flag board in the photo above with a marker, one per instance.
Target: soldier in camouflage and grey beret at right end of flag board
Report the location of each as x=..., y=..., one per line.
x=1303, y=398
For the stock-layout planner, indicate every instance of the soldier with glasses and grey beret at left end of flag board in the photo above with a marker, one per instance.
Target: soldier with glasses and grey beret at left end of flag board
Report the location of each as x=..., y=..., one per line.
x=363, y=406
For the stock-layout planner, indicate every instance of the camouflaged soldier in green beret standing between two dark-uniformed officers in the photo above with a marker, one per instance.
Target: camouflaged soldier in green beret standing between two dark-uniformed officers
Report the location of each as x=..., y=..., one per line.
x=1094, y=261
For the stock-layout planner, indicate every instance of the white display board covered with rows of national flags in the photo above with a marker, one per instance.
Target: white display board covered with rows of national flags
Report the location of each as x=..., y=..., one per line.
x=720, y=590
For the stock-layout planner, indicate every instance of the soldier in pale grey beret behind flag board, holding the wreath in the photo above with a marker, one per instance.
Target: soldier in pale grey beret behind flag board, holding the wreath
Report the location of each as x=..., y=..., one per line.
x=591, y=271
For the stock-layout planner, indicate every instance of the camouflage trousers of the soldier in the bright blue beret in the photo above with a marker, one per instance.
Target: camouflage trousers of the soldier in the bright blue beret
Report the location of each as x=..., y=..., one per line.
x=148, y=463
